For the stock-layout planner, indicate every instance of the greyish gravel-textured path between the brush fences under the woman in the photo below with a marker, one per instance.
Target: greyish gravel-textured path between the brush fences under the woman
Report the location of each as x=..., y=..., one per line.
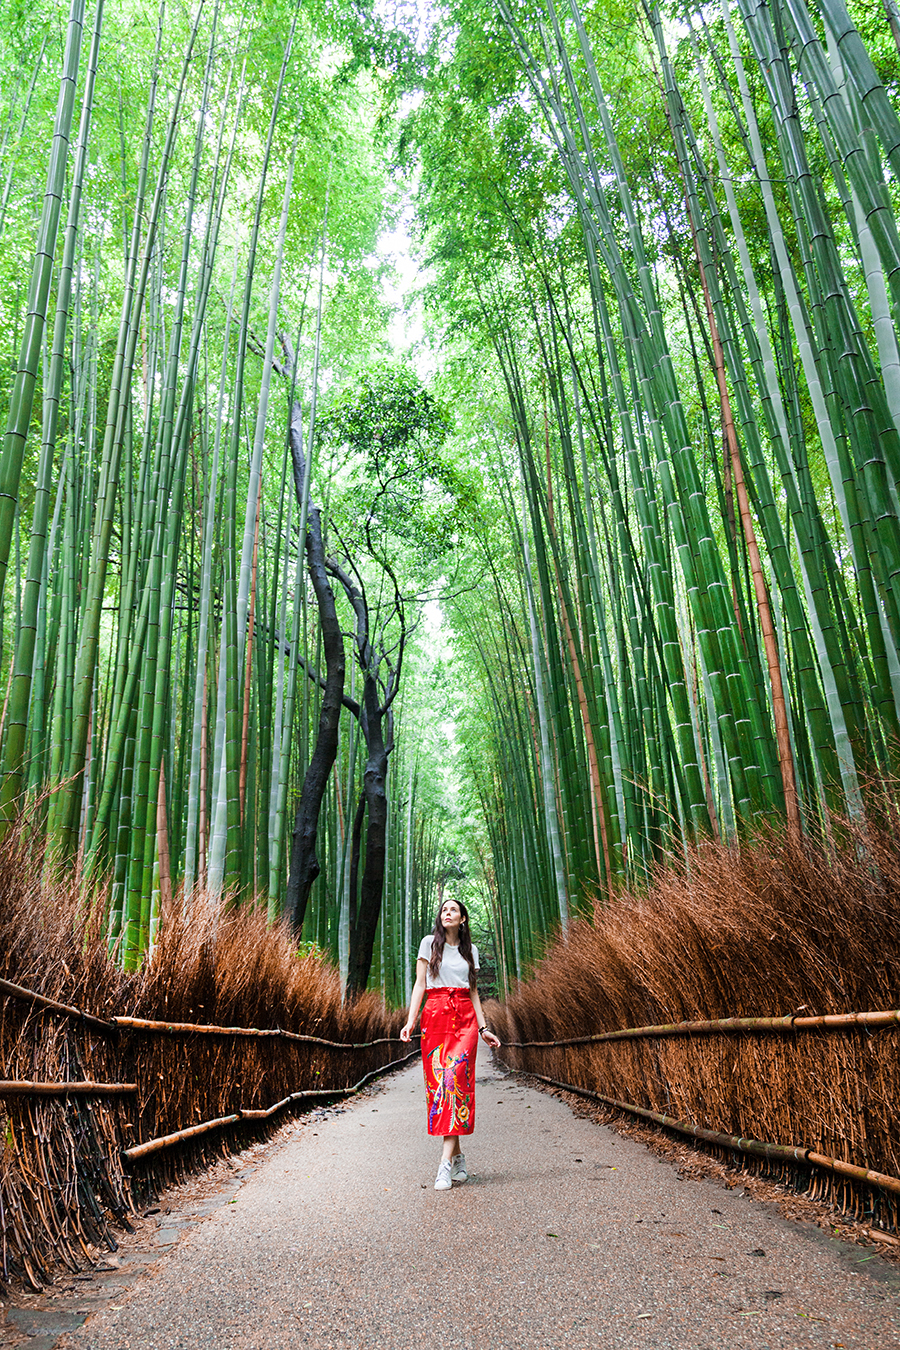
x=566, y=1236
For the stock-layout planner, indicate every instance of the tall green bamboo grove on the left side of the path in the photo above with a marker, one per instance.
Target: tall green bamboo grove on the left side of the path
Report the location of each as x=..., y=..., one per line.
x=213, y=188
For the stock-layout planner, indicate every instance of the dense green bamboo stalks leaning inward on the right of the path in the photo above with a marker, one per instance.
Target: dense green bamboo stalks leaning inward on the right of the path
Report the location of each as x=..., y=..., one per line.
x=675, y=233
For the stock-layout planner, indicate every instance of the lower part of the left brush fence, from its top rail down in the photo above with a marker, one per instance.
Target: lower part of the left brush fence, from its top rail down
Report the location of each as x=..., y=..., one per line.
x=76, y=1147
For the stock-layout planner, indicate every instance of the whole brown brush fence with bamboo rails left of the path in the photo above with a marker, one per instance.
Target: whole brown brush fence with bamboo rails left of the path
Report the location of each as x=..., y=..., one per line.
x=67, y=1181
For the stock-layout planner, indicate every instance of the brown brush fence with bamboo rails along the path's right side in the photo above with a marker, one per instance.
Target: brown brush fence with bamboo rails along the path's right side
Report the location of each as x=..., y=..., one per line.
x=771, y=931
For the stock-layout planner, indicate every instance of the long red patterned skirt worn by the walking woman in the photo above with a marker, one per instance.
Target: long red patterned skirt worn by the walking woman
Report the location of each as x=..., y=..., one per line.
x=450, y=1043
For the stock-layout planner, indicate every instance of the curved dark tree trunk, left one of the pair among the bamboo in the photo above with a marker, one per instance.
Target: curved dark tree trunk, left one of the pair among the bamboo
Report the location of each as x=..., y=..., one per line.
x=304, y=863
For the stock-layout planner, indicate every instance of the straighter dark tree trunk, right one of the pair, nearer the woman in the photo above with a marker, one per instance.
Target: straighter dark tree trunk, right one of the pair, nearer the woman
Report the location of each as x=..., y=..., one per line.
x=362, y=938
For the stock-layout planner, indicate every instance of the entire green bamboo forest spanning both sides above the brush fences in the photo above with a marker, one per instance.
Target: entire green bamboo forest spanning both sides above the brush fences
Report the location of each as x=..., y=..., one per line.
x=652, y=485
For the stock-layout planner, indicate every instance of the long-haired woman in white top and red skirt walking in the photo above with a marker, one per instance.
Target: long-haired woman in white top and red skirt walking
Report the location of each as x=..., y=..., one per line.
x=451, y=1024
